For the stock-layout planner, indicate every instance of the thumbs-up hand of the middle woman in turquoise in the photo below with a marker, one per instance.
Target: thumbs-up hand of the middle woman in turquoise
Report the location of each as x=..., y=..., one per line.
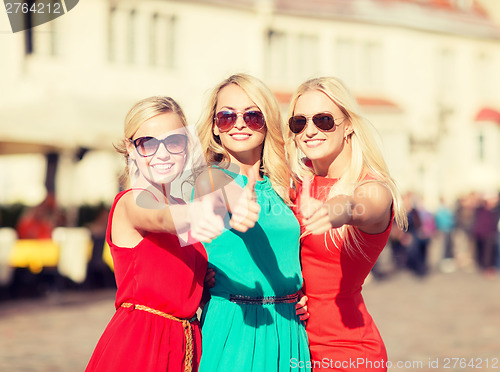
x=246, y=212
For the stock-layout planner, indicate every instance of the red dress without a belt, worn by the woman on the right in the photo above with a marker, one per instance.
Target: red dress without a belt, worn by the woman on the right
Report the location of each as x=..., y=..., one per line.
x=340, y=329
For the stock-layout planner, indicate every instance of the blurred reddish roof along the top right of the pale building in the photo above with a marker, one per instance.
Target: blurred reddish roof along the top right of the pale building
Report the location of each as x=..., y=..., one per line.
x=441, y=16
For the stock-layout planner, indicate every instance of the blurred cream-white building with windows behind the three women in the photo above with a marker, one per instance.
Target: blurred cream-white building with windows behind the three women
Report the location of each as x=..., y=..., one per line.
x=425, y=72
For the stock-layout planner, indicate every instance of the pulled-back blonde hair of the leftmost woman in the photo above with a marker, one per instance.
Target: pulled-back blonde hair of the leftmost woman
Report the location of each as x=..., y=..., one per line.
x=137, y=115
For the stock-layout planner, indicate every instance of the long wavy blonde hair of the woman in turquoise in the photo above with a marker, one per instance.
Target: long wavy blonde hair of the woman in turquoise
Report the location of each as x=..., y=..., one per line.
x=273, y=161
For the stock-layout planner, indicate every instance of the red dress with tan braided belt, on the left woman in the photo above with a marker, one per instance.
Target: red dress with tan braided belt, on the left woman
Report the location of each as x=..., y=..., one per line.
x=162, y=275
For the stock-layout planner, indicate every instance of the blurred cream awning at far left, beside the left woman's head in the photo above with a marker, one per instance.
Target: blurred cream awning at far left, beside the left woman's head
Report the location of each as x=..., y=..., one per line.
x=66, y=123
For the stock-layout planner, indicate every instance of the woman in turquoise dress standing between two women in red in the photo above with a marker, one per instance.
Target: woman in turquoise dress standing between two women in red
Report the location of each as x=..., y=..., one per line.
x=250, y=322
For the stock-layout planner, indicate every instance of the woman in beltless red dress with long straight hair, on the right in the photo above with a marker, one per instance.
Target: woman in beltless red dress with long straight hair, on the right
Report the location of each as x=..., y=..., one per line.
x=346, y=206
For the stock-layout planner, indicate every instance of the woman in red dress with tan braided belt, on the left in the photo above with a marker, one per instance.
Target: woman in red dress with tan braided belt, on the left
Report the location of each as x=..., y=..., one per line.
x=159, y=266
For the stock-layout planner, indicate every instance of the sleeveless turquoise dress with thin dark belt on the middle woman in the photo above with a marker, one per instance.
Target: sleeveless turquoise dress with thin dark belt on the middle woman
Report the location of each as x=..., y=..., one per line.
x=263, y=262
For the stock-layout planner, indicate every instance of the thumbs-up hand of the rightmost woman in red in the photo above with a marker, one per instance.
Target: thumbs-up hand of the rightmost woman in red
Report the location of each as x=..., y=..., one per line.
x=315, y=214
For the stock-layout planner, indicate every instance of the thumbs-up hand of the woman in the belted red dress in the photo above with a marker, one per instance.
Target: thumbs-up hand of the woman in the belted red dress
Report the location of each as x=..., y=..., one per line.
x=206, y=224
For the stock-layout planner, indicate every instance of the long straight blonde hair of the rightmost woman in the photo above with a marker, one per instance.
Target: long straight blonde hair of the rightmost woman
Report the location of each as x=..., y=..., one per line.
x=366, y=155
